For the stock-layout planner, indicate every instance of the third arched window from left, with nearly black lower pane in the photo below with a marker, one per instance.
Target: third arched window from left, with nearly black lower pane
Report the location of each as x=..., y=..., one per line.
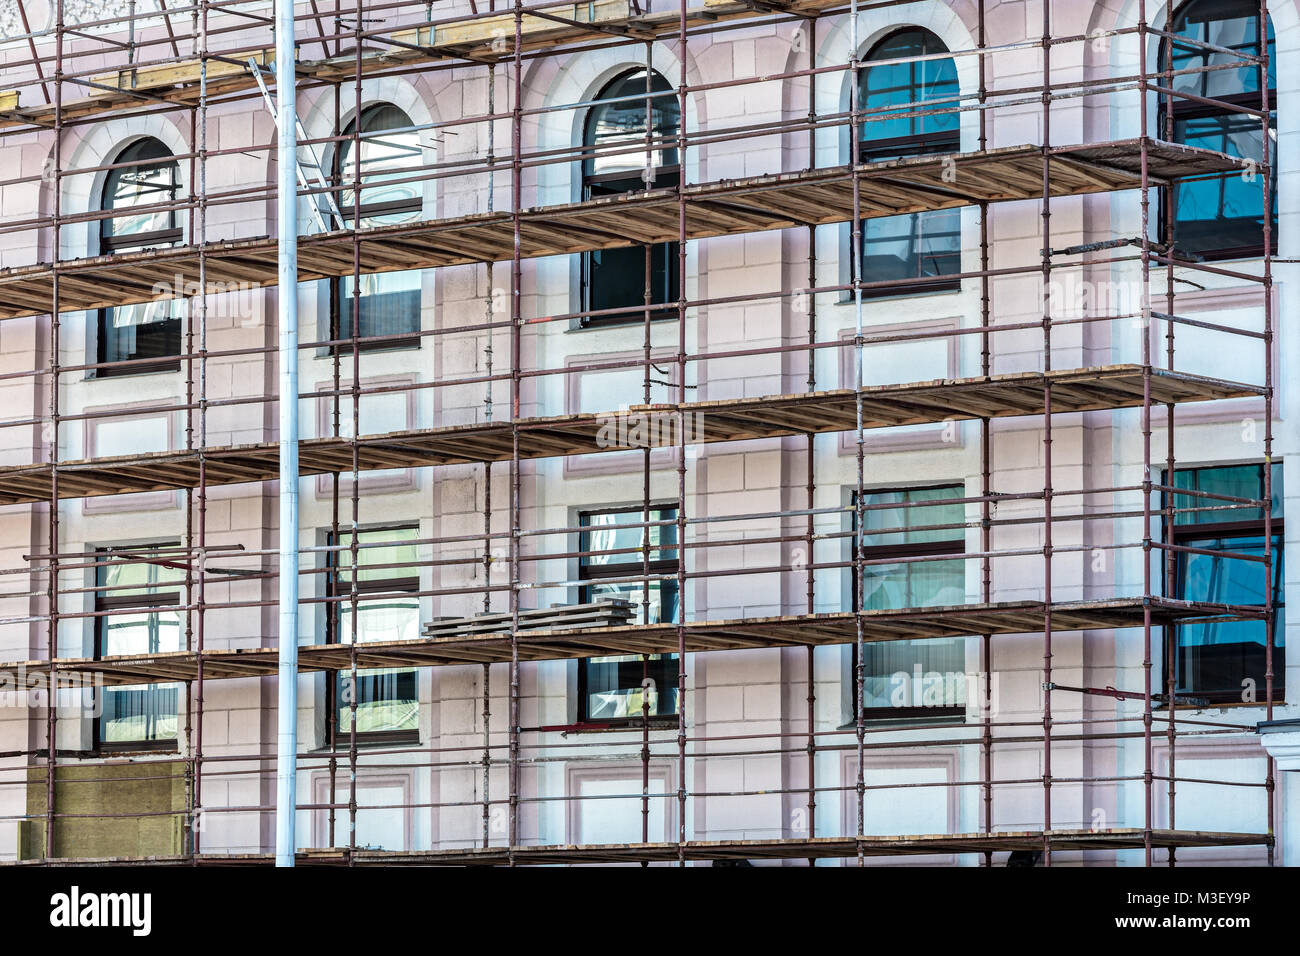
x=617, y=278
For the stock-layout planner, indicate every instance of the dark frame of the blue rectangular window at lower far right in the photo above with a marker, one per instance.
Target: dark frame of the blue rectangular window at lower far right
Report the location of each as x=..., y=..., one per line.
x=1176, y=569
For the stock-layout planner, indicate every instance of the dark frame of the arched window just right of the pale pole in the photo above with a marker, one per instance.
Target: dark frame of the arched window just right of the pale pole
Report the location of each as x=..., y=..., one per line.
x=341, y=302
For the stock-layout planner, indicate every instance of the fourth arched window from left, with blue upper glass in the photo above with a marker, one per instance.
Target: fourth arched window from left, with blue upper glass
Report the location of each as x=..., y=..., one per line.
x=920, y=245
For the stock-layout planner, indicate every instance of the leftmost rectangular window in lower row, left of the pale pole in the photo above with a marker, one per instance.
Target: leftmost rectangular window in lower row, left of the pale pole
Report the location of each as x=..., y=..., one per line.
x=135, y=589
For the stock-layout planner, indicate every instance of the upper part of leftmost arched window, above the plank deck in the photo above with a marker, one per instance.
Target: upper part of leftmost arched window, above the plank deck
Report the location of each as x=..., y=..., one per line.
x=144, y=179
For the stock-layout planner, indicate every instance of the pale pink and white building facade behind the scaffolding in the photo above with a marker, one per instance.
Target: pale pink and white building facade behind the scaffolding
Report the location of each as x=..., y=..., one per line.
x=855, y=351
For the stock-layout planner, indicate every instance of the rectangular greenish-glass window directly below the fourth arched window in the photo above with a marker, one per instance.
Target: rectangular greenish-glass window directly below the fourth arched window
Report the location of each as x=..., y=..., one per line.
x=922, y=678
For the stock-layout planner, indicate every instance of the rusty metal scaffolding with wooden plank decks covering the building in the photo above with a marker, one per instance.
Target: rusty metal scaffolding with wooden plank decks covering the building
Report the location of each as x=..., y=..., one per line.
x=193, y=62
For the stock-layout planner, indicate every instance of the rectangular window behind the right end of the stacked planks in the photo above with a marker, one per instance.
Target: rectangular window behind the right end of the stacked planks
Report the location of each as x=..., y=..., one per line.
x=610, y=689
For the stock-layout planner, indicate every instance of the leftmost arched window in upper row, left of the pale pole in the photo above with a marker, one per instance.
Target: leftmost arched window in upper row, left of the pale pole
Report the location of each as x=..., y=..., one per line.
x=144, y=179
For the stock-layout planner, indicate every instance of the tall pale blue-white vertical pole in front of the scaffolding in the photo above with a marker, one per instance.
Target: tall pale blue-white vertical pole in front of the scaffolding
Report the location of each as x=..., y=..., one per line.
x=287, y=211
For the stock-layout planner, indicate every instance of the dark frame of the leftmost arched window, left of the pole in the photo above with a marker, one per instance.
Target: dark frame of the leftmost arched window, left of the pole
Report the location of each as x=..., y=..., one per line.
x=136, y=243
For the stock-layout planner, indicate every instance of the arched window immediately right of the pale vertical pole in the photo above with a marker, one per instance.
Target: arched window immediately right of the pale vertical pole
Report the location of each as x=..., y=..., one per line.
x=389, y=153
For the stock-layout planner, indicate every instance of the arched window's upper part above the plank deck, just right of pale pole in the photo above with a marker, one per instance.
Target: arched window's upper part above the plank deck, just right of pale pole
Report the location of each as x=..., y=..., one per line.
x=389, y=150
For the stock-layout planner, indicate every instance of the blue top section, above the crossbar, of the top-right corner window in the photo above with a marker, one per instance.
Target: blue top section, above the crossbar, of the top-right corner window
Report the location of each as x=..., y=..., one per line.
x=1228, y=24
